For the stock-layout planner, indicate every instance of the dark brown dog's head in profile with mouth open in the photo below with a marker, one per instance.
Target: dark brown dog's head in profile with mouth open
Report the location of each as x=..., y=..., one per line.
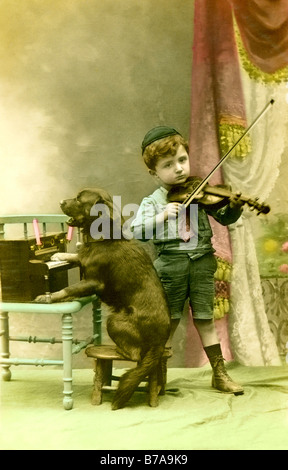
x=90, y=204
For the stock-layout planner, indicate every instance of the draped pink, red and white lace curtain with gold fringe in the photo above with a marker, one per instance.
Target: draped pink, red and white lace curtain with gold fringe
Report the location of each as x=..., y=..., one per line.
x=240, y=58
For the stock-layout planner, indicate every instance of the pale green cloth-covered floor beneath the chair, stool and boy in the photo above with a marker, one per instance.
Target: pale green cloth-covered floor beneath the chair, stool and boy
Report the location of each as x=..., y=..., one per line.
x=191, y=416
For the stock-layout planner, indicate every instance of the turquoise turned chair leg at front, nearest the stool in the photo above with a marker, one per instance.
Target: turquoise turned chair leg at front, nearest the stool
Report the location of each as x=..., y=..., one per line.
x=67, y=338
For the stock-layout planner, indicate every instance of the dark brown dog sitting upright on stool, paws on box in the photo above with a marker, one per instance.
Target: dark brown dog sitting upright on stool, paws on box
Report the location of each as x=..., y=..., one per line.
x=122, y=274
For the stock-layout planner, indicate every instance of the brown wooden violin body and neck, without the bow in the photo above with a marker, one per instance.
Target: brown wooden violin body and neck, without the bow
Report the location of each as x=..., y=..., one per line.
x=212, y=197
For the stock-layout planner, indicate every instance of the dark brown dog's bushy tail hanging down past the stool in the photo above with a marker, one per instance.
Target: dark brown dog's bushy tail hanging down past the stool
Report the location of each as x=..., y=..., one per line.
x=131, y=379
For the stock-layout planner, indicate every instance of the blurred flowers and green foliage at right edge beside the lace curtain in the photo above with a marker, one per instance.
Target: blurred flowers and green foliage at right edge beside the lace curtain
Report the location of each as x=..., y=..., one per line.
x=272, y=247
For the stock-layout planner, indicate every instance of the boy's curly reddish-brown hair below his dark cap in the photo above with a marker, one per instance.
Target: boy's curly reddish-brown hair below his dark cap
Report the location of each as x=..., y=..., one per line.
x=162, y=148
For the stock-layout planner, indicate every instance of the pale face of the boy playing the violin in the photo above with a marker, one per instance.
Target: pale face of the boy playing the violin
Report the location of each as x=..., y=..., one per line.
x=172, y=170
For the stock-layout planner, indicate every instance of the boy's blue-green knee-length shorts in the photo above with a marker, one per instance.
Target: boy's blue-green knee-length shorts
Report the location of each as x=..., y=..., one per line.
x=183, y=278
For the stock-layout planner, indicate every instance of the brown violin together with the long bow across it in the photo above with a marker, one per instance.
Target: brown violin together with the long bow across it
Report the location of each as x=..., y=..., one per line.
x=199, y=190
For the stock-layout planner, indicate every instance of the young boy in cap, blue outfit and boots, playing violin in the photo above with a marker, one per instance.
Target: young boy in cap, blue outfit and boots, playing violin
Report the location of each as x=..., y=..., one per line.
x=185, y=265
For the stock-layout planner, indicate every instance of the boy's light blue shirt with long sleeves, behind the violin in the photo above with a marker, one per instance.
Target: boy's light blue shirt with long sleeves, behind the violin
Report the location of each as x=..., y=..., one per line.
x=169, y=241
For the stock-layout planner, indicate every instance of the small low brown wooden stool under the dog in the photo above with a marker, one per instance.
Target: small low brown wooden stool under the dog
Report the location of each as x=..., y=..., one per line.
x=104, y=356
